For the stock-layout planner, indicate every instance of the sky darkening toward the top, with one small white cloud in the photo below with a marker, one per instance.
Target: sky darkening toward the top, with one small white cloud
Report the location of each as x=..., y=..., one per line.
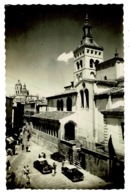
x=40, y=40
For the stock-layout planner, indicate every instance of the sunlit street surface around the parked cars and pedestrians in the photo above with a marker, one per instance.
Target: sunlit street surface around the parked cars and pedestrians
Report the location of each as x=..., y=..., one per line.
x=49, y=181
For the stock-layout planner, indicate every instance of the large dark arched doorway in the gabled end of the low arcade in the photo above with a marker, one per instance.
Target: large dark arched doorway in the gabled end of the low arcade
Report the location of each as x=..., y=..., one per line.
x=70, y=131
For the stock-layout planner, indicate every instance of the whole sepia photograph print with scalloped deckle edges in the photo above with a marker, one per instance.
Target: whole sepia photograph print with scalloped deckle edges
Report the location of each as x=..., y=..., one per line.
x=64, y=73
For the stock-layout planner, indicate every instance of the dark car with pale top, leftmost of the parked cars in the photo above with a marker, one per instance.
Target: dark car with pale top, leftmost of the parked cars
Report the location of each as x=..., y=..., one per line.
x=42, y=165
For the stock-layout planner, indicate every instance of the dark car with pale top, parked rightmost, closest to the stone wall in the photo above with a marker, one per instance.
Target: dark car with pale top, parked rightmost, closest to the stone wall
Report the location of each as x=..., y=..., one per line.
x=72, y=173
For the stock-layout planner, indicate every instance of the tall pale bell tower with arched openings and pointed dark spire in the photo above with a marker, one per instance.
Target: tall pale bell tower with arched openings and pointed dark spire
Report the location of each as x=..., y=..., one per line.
x=87, y=55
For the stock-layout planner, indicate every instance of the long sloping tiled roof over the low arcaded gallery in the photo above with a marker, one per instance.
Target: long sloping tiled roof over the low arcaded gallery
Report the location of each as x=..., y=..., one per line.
x=54, y=115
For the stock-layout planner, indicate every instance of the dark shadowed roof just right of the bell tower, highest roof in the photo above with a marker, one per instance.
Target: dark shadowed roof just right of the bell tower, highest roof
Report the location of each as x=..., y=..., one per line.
x=108, y=63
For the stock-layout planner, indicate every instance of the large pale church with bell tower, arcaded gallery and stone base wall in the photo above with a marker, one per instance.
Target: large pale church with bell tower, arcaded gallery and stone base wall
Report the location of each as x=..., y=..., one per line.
x=89, y=112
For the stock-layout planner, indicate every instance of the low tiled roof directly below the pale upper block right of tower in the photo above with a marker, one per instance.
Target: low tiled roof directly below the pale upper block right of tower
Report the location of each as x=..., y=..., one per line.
x=114, y=90
